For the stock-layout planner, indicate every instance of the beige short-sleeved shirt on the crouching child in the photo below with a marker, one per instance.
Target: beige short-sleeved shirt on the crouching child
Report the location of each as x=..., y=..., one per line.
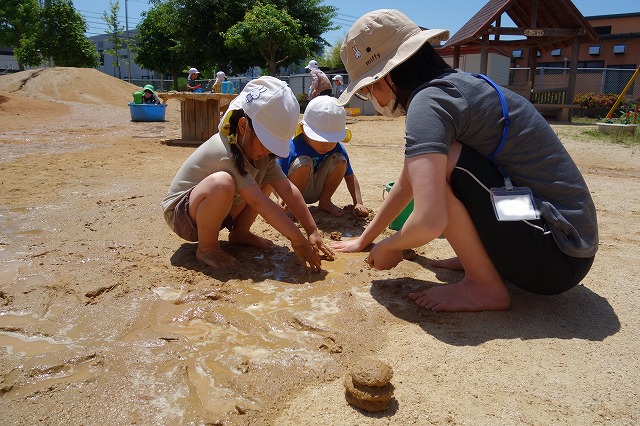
x=213, y=156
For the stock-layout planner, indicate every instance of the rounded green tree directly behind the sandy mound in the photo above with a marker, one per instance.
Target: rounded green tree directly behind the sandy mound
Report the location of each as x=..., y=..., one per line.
x=59, y=36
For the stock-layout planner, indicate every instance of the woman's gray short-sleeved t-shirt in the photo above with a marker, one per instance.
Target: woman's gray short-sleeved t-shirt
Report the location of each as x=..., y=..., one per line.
x=458, y=106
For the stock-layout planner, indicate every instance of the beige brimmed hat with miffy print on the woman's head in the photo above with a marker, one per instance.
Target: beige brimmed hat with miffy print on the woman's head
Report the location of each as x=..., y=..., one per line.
x=377, y=43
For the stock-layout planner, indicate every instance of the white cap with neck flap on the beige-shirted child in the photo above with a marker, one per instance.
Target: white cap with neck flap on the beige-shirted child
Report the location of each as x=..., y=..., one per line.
x=273, y=110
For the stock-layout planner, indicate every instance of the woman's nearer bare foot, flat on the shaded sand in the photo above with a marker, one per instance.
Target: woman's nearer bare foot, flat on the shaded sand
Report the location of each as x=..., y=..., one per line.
x=464, y=296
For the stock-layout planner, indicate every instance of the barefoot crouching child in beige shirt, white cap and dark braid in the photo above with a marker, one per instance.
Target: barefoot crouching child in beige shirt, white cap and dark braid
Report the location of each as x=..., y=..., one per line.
x=227, y=180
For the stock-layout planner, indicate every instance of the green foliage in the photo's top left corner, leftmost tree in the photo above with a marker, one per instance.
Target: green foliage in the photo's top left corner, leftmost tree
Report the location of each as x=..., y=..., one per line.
x=17, y=20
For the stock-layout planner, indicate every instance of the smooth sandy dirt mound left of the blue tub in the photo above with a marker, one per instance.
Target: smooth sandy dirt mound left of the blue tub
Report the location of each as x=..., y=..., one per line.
x=66, y=84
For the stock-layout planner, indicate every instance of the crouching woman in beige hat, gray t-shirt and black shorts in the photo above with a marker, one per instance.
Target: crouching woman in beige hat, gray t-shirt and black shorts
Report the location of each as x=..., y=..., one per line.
x=483, y=167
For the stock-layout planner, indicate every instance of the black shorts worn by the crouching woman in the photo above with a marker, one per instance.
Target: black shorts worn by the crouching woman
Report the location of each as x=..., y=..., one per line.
x=523, y=252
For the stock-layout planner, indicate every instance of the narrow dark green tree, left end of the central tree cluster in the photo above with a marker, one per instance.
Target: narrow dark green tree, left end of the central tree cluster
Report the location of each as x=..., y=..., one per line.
x=157, y=44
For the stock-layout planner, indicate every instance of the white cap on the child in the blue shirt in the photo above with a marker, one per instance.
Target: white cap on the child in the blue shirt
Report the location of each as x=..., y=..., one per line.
x=324, y=120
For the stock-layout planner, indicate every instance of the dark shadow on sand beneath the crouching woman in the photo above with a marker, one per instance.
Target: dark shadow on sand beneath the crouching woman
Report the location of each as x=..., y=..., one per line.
x=576, y=314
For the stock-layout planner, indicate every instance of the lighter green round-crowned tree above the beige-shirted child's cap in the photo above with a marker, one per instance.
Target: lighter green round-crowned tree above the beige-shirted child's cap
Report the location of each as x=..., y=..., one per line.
x=273, y=33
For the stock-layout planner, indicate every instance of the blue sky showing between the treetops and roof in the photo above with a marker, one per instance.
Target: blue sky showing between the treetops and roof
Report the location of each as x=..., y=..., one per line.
x=451, y=15
